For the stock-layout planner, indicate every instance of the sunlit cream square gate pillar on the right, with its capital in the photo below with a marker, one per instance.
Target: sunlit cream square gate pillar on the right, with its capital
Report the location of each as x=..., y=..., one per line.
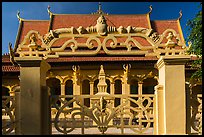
x=172, y=116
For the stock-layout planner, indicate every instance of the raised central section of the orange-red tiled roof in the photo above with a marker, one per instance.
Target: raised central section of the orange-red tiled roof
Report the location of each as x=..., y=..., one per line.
x=86, y=20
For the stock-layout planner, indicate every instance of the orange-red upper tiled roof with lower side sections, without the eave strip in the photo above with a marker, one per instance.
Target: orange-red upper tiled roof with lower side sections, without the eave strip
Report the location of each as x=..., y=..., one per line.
x=75, y=20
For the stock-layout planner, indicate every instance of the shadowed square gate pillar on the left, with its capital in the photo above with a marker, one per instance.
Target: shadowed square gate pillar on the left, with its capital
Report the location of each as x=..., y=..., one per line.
x=34, y=109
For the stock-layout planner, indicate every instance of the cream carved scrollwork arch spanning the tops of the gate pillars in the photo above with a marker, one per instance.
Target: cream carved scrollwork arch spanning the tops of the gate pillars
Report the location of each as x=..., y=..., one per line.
x=109, y=43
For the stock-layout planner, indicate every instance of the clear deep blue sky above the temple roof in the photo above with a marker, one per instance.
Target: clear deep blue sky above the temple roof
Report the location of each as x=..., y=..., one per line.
x=38, y=11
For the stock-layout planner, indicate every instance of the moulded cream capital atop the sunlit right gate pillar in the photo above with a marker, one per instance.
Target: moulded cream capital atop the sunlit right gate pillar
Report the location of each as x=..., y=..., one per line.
x=172, y=60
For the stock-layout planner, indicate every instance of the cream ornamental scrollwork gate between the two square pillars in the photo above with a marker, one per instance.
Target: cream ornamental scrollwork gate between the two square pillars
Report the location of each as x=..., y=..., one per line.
x=134, y=114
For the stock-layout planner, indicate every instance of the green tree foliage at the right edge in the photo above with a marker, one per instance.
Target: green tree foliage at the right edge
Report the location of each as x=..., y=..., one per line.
x=195, y=40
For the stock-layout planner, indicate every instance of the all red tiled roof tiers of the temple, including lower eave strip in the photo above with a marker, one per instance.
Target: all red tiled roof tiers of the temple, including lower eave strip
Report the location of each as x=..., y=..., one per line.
x=58, y=21
